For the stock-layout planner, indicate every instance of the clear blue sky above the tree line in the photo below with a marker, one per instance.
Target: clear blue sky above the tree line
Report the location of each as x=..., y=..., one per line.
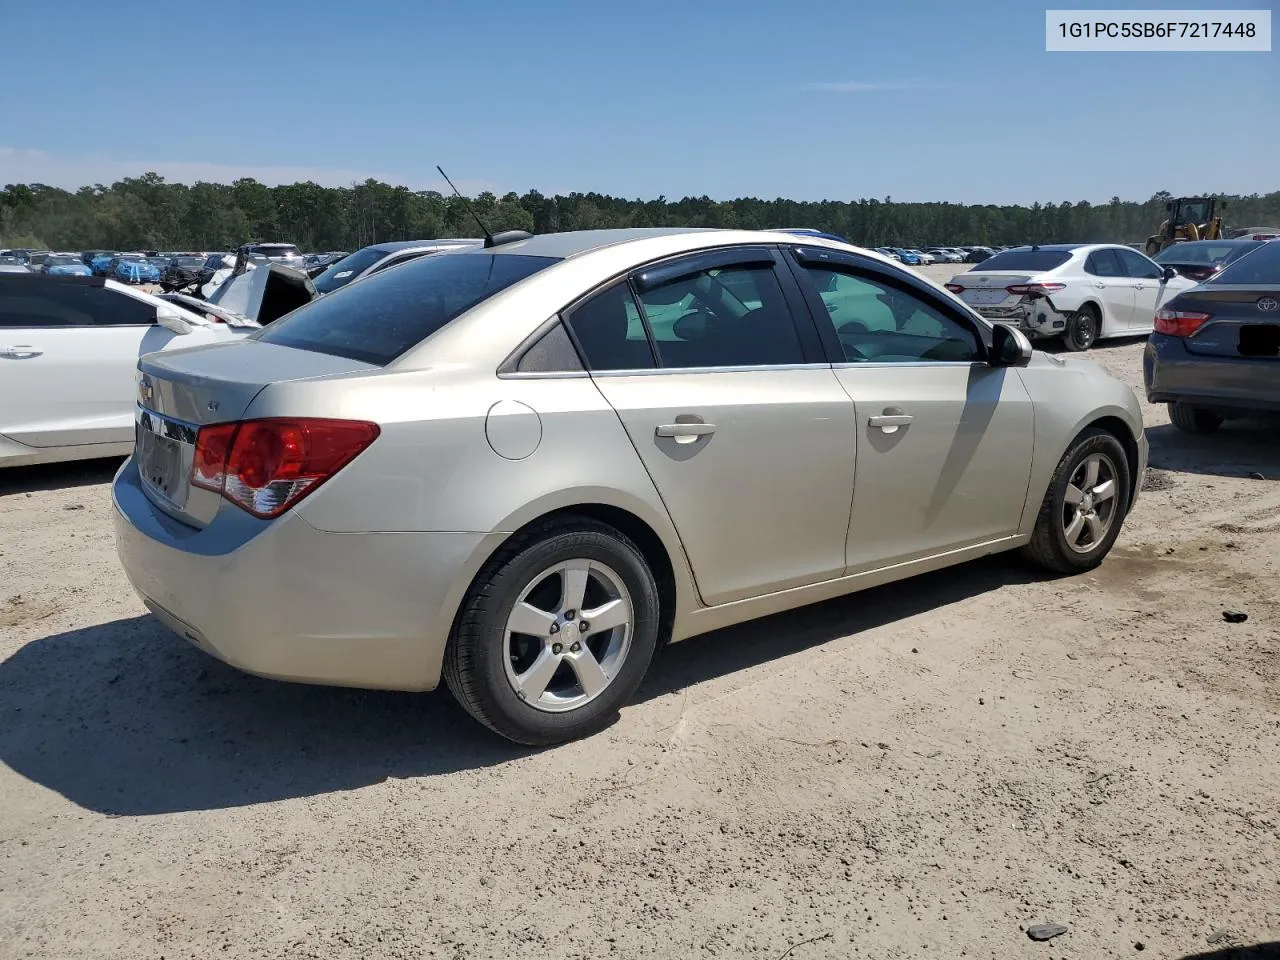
x=916, y=99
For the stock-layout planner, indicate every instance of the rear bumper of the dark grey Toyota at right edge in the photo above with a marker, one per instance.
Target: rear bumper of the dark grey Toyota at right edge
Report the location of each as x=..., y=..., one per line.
x=1173, y=374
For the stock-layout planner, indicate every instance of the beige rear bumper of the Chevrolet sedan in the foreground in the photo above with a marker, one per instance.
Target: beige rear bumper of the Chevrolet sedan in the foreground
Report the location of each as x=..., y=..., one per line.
x=290, y=602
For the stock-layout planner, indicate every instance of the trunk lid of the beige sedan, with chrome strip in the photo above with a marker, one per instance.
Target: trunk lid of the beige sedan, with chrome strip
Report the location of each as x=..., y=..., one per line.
x=182, y=391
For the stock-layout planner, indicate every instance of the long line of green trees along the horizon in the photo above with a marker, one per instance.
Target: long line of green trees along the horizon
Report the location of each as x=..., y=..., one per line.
x=148, y=213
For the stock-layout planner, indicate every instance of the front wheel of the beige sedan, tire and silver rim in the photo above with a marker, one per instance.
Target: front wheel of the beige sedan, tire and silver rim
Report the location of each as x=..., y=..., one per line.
x=1066, y=541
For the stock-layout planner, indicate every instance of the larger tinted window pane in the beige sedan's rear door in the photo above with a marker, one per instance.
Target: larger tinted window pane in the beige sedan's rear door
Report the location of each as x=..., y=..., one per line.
x=723, y=317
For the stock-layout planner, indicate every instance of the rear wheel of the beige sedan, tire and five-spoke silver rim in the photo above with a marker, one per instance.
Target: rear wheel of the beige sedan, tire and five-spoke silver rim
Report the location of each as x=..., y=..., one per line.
x=487, y=664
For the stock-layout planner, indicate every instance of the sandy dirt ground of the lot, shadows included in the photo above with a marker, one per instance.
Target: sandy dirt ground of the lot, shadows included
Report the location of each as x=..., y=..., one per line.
x=922, y=770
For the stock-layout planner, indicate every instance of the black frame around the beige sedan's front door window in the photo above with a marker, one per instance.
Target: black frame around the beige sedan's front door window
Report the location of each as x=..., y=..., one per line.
x=877, y=272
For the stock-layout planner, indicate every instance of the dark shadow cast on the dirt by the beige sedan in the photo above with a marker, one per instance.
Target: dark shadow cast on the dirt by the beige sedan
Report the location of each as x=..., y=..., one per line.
x=127, y=720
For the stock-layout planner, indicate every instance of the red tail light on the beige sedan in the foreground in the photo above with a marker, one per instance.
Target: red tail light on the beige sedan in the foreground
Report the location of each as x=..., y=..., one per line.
x=267, y=467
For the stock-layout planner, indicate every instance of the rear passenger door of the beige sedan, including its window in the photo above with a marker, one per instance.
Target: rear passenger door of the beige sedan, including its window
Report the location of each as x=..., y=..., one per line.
x=735, y=413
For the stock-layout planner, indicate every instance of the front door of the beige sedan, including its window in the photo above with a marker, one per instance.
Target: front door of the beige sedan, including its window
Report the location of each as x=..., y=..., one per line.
x=944, y=440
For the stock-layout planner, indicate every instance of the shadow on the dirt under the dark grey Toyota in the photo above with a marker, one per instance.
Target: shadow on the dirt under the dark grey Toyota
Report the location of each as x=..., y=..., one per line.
x=1240, y=449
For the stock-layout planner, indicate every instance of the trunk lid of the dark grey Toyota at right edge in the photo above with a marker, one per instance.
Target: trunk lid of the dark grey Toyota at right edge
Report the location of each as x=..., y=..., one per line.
x=1245, y=321
